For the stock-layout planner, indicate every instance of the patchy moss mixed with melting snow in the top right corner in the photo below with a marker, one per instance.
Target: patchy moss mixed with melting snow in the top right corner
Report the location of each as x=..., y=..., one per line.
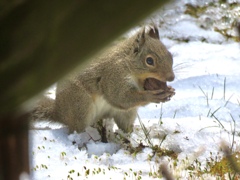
x=223, y=21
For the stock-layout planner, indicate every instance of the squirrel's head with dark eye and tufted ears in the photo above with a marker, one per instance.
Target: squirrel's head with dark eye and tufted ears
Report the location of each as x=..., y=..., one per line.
x=151, y=56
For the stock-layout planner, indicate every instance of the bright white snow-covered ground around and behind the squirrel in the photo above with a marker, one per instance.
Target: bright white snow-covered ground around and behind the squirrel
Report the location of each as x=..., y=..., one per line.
x=204, y=112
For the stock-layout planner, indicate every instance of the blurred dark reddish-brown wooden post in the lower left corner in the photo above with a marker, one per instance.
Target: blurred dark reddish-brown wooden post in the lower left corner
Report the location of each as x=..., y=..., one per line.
x=13, y=146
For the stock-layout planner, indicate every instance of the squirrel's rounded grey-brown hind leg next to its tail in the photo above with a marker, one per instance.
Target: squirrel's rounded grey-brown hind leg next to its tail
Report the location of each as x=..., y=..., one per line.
x=73, y=107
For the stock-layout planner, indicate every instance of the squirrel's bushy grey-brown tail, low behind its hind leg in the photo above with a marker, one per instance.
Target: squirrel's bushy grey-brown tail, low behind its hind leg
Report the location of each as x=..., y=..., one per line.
x=44, y=110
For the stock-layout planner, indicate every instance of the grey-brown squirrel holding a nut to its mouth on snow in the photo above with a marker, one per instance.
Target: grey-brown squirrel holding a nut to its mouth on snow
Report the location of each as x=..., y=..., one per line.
x=114, y=85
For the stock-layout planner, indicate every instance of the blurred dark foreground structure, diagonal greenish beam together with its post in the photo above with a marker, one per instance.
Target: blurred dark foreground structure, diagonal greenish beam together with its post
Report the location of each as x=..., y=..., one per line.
x=41, y=41
